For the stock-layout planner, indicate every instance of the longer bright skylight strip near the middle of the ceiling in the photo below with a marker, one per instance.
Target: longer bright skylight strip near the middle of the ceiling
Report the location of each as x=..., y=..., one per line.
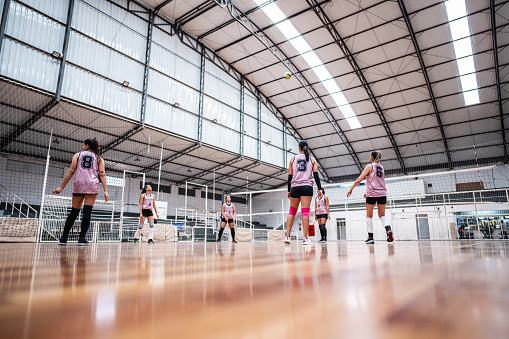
x=285, y=26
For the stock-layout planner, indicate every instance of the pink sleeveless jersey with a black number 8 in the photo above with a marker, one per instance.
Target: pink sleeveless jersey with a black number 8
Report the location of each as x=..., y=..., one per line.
x=86, y=179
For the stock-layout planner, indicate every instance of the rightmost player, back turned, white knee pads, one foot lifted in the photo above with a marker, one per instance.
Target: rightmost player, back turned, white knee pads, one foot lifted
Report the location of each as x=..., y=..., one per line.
x=376, y=194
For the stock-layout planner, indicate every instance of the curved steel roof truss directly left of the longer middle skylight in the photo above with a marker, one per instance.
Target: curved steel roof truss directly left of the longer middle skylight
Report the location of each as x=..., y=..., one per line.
x=246, y=22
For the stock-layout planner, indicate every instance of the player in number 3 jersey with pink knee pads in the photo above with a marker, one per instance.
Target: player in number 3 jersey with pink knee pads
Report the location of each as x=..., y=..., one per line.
x=301, y=170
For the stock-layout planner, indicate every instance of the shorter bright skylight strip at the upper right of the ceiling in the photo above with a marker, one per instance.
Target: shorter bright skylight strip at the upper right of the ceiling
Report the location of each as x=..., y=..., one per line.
x=460, y=34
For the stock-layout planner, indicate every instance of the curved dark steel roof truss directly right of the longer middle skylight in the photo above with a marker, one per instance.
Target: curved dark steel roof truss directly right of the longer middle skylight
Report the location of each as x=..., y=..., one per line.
x=353, y=63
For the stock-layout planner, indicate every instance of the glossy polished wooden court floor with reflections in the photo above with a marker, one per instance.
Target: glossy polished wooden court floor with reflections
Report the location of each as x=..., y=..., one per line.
x=255, y=290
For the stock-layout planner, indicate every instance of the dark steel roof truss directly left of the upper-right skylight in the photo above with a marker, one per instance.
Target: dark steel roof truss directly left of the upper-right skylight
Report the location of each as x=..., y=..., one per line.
x=426, y=78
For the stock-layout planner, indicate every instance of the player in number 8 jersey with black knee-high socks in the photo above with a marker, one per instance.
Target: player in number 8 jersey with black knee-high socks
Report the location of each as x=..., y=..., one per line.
x=88, y=166
